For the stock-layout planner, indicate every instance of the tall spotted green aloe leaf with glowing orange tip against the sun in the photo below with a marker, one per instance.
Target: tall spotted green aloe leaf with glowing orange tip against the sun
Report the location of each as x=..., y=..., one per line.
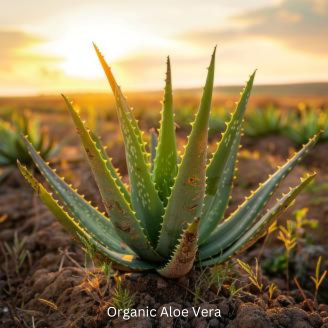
x=144, y=197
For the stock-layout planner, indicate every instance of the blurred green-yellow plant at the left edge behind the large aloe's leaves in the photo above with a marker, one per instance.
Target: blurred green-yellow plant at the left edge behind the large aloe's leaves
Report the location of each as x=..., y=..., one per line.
x=12, y=147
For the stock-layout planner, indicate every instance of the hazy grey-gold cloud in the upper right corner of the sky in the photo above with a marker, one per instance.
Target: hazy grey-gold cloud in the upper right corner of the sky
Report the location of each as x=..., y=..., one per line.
x=297, y=24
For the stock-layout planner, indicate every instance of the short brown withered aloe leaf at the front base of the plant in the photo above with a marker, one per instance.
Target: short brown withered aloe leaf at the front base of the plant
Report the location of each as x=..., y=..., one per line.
x=184, y=255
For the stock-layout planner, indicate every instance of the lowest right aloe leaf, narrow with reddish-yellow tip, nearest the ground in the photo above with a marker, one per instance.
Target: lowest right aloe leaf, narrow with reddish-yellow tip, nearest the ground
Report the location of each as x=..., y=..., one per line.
x=260, y=227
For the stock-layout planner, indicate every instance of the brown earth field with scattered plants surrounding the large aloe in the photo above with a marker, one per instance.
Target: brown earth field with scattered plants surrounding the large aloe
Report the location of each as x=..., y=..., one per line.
x=48, y=280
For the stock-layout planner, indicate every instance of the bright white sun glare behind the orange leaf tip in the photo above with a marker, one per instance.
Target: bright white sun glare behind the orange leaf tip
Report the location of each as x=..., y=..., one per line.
x=76, y=54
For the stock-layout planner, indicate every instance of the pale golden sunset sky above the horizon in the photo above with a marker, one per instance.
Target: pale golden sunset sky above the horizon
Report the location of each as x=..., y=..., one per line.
x=46, y=46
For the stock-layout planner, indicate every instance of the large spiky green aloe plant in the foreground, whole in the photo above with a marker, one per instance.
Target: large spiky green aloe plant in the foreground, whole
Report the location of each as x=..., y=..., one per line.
x=173, y=214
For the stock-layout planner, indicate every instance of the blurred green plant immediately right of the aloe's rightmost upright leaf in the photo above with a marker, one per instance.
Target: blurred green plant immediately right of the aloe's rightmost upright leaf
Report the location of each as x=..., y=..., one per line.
x=262, y=122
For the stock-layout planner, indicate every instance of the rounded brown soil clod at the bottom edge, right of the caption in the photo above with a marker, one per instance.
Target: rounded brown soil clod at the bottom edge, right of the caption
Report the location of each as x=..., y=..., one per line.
x=251, y=316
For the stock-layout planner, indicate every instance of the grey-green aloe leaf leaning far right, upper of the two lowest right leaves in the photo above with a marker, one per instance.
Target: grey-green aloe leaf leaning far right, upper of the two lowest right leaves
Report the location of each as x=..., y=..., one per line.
x=239, y=221
